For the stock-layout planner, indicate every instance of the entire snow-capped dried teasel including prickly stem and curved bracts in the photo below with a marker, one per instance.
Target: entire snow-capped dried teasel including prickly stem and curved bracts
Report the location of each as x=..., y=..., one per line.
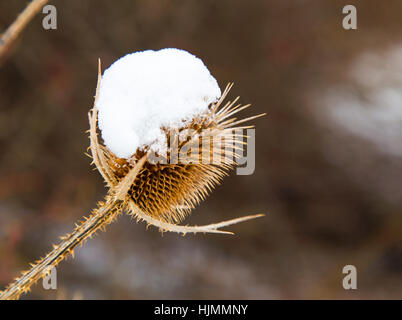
x=146, y=102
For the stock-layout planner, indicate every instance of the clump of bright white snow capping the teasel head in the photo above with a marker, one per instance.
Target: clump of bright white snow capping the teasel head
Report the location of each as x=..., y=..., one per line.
x=144, y=91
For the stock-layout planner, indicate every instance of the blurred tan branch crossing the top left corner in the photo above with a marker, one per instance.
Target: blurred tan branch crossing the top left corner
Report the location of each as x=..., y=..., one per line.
x=9, y=36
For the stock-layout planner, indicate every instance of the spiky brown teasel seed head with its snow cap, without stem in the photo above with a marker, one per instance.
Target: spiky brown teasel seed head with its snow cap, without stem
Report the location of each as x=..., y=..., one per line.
x=165, y=105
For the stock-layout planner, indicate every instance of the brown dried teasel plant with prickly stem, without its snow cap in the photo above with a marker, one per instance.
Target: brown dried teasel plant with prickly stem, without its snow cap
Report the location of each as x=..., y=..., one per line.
x=159, y=194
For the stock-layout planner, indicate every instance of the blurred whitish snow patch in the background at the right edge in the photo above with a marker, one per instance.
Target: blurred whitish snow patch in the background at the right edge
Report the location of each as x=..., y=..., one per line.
x=378, y=116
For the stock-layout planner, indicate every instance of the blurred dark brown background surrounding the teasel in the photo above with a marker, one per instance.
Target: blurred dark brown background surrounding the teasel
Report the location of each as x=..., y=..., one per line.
x=328, y=165
